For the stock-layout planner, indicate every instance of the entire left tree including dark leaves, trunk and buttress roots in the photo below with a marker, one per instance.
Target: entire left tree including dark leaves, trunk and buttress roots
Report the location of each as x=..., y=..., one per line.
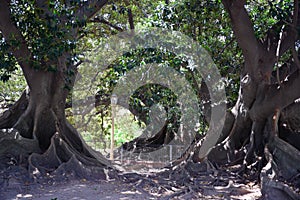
x=40, y=37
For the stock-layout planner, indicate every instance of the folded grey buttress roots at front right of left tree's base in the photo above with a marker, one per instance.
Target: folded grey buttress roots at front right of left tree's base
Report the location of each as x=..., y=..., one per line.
x=61, y=160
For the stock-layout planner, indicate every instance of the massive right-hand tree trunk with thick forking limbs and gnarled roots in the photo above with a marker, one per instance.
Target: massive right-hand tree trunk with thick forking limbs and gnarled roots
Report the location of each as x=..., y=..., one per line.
x=253, y=140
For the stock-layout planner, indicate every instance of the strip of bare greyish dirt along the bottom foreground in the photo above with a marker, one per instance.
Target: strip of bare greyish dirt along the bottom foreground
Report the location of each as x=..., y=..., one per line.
x=85, y=190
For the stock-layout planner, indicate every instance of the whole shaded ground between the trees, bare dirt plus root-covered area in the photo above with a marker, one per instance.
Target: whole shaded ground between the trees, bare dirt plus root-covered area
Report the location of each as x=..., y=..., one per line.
x=186, y=182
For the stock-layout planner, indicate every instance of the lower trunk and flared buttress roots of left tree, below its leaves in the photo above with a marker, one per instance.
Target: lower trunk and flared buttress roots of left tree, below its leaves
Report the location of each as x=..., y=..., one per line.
x=44, y=138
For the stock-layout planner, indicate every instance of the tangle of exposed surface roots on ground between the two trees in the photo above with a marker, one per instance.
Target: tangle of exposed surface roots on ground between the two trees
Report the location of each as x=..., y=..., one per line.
x=192, y=181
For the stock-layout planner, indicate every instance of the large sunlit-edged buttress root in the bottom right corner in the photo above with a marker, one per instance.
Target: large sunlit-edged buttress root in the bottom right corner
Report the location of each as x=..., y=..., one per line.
x=283, y=164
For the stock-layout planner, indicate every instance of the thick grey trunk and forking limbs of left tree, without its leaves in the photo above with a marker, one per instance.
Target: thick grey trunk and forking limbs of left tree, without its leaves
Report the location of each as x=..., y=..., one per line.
x=42, y=140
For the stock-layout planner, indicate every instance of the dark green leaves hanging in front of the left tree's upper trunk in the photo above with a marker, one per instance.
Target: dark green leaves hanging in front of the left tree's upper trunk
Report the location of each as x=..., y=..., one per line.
x=45, y=33
